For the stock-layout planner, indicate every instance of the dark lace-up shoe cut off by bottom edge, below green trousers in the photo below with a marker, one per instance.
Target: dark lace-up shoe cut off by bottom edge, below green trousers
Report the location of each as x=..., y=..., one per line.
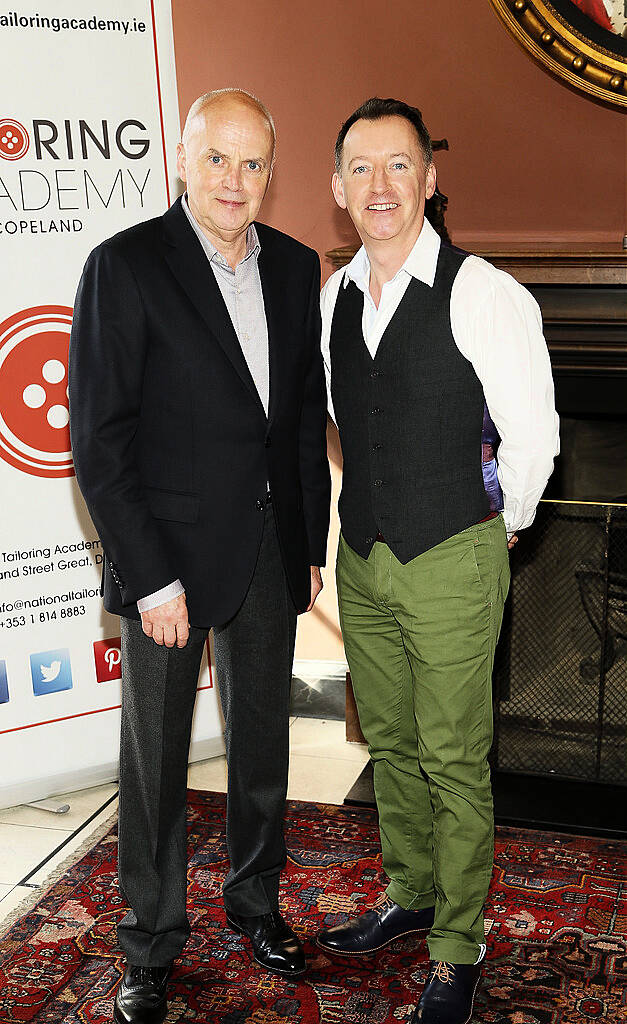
x=449, y=995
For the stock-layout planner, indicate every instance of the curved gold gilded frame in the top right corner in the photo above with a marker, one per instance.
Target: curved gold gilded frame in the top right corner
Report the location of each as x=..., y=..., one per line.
x=565, y=50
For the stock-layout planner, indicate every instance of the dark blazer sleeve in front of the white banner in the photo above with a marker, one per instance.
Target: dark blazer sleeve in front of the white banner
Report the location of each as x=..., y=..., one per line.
x=108, y=355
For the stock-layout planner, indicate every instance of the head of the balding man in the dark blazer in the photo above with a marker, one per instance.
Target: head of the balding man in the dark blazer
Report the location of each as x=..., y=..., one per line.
x=226, y=162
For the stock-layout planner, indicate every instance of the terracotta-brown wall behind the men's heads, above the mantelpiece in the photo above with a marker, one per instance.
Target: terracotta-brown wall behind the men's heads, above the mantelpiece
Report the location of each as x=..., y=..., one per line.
x=530, y=159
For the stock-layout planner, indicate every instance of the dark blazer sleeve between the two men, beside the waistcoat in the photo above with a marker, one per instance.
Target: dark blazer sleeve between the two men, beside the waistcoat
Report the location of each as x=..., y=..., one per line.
x=315, y=476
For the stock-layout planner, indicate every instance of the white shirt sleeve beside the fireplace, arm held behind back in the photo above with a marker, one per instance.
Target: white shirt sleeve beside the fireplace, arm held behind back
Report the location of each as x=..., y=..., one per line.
x=497, y=326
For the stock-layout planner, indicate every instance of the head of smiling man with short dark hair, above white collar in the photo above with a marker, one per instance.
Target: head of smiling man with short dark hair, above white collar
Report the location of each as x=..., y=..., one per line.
x=385, y=183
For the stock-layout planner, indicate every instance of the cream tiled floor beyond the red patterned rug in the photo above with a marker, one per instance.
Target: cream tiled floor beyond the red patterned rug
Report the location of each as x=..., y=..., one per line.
x=323, y=767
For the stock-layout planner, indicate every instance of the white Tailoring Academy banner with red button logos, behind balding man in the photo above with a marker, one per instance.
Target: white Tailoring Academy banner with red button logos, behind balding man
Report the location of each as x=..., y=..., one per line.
x=89, y=129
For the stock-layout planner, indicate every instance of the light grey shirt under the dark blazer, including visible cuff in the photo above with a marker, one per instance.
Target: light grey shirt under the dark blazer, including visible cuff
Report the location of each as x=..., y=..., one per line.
x=243, y=296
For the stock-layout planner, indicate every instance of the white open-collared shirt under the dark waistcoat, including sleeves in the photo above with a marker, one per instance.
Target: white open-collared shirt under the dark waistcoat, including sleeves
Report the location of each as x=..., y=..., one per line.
x=497, y=326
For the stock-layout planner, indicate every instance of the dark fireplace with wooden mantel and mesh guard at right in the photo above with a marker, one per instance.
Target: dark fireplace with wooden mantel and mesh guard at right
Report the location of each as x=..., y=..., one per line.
x=561, y=675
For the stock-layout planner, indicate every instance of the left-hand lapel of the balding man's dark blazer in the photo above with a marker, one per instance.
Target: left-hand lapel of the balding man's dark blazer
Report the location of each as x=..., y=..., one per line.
x=188, y=263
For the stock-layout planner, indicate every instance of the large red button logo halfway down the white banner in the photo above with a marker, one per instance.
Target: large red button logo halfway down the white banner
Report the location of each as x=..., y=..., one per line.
x=34, y=406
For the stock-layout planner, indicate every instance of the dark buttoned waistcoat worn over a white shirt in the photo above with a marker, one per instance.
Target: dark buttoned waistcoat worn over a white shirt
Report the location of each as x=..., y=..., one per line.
x=410, y=421
